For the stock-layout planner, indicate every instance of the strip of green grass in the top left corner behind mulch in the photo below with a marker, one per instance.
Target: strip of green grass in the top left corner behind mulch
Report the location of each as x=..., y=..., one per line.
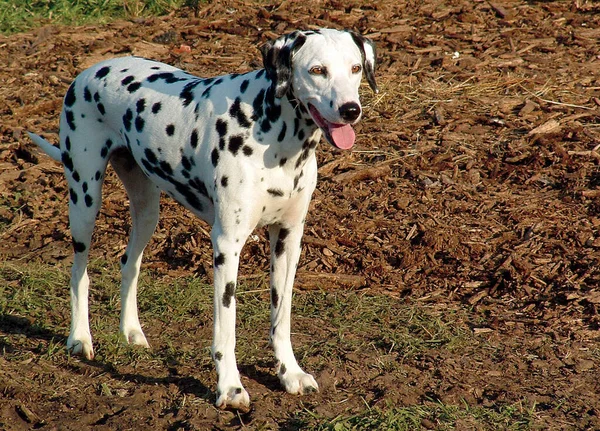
x=18, y=16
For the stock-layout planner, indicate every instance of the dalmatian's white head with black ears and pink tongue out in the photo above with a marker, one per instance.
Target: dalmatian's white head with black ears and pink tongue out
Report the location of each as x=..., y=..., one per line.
x=323, y=69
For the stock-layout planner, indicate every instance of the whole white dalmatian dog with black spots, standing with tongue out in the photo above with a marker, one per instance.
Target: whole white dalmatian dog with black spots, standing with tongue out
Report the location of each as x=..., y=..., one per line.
x=236, y=150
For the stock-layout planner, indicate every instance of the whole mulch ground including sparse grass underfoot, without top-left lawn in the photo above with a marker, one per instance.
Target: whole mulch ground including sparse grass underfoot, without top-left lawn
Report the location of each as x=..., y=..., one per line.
x=449, y=262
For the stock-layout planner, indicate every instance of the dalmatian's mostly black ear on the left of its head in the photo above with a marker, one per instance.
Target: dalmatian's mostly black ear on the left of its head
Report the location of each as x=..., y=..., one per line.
x=277, y=59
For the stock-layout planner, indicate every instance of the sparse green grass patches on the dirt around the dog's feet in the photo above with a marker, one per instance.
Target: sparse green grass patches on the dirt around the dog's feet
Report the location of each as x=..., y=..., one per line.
x=34, y=317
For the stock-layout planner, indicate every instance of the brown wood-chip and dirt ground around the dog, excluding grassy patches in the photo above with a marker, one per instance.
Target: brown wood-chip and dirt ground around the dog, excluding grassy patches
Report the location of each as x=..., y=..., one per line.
x=474, y=184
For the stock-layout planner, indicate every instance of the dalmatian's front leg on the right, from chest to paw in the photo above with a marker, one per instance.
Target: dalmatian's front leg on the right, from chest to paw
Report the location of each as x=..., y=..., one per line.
x=285, y=252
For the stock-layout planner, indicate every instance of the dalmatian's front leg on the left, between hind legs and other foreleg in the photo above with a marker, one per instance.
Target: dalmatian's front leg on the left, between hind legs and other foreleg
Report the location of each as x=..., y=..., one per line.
x=230, y=392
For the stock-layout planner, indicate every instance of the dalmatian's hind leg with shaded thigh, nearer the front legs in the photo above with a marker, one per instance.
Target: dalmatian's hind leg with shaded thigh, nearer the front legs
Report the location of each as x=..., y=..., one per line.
x=144, y=207
